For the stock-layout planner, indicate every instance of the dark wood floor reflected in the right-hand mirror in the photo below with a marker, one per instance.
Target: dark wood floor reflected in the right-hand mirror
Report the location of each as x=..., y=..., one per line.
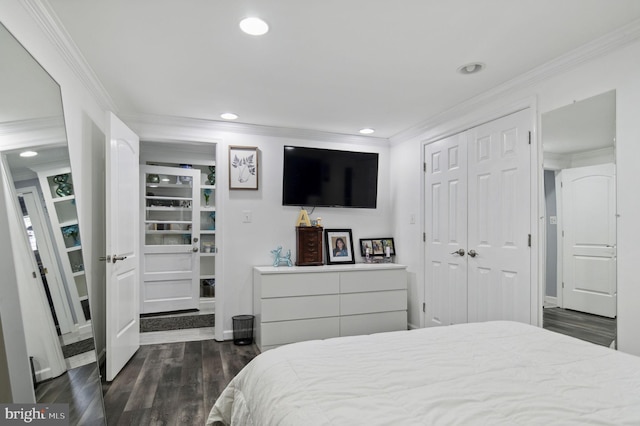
x=592, y=328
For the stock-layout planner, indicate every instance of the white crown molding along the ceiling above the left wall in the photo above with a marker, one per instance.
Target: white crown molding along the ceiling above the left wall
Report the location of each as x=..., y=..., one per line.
x=48, y=21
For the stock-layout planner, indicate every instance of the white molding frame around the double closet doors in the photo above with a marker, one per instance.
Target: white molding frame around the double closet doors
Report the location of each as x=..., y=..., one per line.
x=476, y=118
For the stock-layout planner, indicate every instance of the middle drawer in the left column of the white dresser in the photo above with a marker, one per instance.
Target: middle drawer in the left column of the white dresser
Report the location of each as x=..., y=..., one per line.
x=291, y=308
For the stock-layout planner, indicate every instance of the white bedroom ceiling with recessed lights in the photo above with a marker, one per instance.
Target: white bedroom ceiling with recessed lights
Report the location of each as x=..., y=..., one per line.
x=330, y=65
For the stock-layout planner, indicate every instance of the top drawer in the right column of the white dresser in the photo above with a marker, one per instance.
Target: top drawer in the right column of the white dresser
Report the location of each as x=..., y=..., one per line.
x=376, y=280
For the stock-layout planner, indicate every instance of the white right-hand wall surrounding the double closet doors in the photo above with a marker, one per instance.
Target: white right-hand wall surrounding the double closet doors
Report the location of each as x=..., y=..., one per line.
x=615, y=71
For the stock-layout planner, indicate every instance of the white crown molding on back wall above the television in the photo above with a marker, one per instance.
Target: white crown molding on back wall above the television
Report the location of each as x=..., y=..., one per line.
x=152, y=127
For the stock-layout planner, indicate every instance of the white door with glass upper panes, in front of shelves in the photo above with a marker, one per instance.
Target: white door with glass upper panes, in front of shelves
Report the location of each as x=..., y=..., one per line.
x=171, y=234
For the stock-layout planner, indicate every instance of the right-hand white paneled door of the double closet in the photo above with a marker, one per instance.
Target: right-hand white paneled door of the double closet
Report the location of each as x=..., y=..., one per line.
x=499, y=217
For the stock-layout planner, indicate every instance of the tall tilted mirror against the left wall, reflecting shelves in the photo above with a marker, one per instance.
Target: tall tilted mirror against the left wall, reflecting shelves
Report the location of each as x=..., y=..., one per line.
x=54, y=298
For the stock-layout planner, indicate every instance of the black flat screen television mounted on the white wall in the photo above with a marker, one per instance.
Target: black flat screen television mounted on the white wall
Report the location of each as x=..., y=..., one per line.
x=315, y=177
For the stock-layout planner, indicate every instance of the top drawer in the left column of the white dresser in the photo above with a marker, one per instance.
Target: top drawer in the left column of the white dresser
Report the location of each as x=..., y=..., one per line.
x=282, y=285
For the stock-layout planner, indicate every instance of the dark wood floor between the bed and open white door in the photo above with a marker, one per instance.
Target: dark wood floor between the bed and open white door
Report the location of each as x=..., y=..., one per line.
x=173, y=383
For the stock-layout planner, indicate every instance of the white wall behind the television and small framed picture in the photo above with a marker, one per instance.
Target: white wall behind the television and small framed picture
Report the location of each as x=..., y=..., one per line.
x=245, y=245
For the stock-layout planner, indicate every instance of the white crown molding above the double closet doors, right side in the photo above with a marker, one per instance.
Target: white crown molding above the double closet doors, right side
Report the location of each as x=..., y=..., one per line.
x=599, y=47
